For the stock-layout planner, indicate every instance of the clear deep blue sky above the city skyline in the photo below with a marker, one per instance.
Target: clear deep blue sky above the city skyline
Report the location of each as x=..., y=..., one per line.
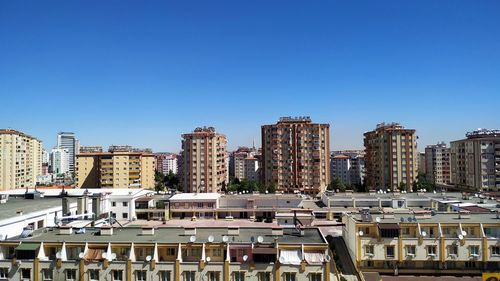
x=143, y=72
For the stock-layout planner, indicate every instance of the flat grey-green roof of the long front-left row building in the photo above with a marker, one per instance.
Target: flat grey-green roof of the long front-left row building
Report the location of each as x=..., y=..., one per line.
x=175, y=235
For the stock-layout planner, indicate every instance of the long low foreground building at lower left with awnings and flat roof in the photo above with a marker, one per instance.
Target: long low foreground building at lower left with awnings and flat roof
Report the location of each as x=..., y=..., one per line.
x=168, y=253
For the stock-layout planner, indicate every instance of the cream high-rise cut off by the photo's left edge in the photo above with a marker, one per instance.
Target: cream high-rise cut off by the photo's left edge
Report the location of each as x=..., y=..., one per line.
x=20, y=159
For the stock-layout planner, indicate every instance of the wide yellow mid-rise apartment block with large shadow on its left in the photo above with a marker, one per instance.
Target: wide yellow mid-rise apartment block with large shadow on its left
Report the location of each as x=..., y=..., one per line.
x=120, y=167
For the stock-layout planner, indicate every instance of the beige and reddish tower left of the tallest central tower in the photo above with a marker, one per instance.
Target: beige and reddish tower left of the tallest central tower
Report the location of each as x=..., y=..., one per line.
x=204, y=157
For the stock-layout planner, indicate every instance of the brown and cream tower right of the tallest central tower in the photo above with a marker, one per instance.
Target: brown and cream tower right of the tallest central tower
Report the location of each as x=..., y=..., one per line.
x=391, y=157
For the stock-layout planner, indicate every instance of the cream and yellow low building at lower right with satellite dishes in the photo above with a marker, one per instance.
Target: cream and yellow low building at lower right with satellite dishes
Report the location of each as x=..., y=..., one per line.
x=424, y=242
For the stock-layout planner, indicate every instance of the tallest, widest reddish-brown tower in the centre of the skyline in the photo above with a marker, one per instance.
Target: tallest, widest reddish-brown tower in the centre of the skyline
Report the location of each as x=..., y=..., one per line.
x=296, y=155
